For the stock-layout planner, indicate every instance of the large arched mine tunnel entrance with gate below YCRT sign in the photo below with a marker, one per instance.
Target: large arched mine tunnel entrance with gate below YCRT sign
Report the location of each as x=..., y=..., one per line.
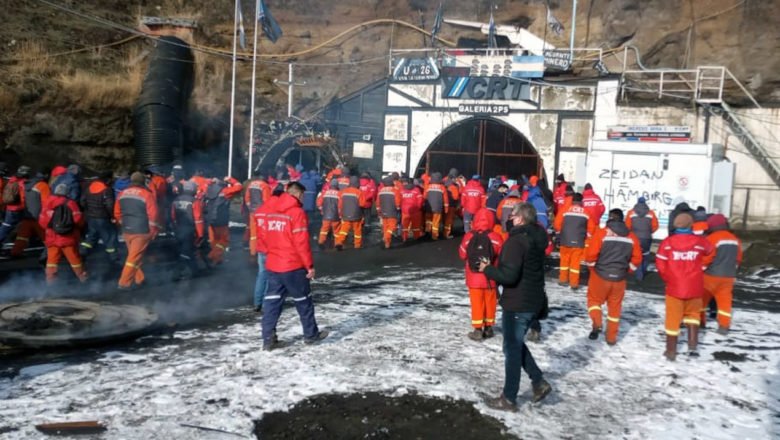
x=482, y=146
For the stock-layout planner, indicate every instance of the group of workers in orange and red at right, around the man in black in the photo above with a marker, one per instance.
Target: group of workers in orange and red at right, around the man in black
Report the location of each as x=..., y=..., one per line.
x=698, y=261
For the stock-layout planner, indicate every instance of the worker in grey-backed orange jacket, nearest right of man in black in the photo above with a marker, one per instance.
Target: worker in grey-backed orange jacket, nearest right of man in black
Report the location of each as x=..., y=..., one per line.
x=613, y=253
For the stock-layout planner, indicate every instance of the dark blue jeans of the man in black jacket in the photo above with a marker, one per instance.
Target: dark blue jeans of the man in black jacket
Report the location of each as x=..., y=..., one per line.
x=516, y=353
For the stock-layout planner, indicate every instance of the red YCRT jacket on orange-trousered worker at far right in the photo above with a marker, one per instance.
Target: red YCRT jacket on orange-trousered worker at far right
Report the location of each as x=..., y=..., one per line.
x=680, y=262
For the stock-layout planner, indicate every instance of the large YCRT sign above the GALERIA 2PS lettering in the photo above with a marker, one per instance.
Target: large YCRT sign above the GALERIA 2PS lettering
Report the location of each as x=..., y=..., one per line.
x=485, y=88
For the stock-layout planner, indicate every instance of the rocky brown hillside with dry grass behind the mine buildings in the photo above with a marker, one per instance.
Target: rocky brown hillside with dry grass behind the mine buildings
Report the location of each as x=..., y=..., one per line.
x=68, y=82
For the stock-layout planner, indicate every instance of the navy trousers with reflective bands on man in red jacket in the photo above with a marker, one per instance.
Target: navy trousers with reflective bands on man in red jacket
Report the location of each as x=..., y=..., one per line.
x=295, y=284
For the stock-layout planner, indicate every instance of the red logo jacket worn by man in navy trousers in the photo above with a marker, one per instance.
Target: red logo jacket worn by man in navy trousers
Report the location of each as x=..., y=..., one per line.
x=286, y=235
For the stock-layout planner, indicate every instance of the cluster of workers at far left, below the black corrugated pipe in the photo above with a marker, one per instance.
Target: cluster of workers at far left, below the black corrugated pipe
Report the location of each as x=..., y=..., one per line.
x=71, y=221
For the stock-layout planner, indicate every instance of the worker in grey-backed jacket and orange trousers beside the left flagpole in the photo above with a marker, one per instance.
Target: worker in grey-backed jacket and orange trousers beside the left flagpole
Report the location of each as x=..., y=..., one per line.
x=217, y=215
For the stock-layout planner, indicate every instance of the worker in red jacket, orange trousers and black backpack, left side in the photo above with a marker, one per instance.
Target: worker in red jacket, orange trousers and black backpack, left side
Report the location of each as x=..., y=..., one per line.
x=62, y=219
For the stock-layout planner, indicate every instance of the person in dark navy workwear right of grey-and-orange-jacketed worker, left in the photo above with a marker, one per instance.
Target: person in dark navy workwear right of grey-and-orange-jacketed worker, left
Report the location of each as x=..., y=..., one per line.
x=187, y=218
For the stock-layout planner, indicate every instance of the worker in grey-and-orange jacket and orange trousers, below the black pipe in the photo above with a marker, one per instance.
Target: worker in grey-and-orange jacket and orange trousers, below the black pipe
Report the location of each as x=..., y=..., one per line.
x=136, y=211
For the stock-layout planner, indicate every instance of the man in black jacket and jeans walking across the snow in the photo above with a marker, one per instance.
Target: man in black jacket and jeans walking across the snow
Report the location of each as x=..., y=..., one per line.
x=520, y=271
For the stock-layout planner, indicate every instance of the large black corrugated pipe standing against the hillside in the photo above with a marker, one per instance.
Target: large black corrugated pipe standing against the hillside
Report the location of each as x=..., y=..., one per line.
x=158, y=113
